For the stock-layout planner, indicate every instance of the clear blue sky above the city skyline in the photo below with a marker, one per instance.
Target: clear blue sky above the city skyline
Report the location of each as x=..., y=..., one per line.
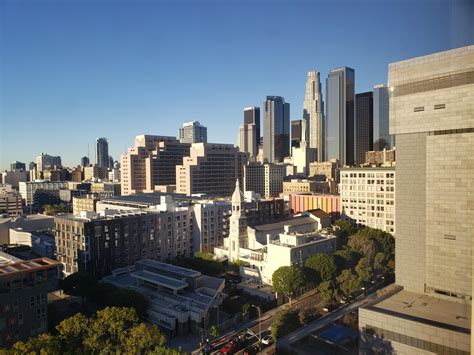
x=74, y=70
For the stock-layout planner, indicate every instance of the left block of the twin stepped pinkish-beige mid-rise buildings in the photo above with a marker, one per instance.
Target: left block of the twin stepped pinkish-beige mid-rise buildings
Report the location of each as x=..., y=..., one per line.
x=151, y=162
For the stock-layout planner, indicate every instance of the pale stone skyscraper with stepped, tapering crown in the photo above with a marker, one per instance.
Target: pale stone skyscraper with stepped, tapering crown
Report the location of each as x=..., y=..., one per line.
x=313, y=114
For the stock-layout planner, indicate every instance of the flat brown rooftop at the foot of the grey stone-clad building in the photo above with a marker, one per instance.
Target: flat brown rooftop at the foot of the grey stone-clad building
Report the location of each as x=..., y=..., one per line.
x=426, y=309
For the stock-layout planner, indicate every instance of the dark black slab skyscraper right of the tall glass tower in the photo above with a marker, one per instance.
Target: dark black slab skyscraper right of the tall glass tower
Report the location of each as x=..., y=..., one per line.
x=364, y=125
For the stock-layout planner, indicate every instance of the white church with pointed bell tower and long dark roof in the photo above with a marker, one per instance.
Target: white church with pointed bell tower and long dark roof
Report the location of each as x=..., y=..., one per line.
x=269, y=246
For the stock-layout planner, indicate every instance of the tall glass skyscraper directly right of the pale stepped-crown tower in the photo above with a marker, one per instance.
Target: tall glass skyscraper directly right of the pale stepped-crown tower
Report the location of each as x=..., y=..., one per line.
x=340, y=115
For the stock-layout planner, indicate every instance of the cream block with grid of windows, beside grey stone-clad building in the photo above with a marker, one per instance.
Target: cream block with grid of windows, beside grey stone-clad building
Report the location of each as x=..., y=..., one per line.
x=368, y=197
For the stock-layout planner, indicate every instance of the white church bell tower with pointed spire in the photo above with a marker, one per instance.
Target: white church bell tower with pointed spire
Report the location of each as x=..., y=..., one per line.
x=238, y=225
